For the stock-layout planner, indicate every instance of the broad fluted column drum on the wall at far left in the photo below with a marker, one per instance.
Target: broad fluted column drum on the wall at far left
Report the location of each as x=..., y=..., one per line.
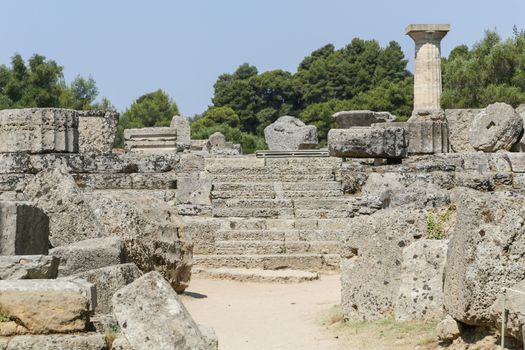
x=38, y=130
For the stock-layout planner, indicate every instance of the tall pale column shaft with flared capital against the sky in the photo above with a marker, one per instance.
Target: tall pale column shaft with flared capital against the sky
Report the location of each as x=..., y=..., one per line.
x=427, y=73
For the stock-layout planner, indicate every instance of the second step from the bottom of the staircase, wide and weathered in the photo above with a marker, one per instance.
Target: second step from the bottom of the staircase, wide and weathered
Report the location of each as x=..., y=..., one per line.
x=308, y=262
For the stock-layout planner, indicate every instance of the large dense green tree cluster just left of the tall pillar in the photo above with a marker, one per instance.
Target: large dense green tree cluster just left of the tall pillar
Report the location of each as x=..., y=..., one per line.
x=361, y=75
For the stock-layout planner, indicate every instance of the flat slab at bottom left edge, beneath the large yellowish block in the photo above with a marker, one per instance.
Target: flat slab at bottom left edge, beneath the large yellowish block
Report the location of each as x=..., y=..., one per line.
x=85, y=341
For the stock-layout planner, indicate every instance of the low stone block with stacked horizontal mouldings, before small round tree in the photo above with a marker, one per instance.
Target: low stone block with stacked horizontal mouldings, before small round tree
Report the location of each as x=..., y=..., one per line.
x=158, y=139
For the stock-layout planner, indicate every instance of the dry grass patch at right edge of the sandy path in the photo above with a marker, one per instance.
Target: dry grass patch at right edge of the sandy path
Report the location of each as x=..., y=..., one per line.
x=379, y=335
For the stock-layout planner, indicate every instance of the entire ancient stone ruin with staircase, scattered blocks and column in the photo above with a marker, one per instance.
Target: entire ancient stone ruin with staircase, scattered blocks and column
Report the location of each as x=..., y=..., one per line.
x=423, y=219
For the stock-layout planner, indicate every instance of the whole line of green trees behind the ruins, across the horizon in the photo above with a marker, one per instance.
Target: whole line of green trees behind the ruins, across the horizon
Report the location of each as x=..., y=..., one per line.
x=360, y=75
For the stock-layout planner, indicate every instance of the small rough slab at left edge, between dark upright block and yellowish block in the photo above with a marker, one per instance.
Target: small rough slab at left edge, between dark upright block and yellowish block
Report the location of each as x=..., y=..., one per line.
x=17, y=267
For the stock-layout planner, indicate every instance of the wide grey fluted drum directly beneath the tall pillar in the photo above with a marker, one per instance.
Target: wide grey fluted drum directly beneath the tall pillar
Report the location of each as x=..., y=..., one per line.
x=426, y=137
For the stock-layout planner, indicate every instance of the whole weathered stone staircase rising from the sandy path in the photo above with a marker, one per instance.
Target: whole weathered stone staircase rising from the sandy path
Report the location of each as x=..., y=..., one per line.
x=276, y=214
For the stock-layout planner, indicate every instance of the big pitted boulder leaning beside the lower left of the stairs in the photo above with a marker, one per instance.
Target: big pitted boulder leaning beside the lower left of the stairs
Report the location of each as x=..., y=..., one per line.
x=149, y=228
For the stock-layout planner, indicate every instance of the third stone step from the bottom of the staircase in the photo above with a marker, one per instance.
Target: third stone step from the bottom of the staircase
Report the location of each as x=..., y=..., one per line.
x=275, y=247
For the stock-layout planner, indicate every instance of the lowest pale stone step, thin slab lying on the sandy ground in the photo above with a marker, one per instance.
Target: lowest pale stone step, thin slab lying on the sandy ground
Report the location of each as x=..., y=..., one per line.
x=255, y=275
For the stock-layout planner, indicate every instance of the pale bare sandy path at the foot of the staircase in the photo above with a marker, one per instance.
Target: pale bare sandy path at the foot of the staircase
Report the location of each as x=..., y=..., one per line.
x=265, y=316
